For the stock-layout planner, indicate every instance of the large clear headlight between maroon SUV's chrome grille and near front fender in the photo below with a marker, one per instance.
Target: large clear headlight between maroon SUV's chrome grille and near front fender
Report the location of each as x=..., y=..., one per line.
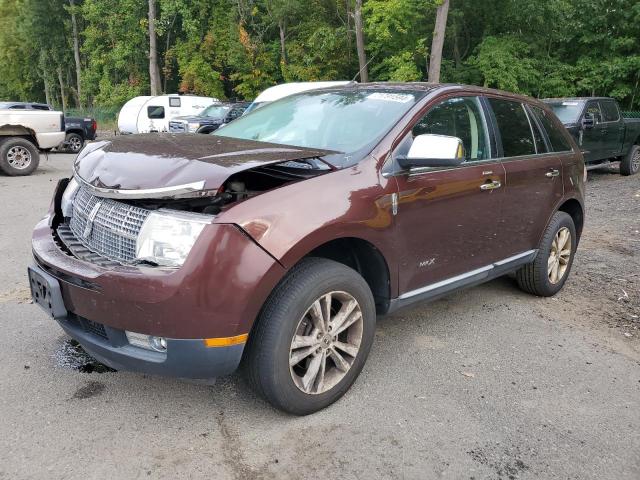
x=166, y=237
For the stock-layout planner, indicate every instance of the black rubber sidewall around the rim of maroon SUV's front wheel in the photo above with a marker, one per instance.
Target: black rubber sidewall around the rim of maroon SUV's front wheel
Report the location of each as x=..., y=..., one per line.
x=287, y=314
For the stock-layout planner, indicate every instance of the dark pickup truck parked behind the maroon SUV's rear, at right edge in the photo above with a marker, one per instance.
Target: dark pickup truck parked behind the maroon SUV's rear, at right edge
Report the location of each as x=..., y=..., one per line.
x=601, y=131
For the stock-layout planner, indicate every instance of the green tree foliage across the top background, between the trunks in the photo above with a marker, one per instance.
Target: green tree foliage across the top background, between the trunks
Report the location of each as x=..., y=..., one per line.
x=233, y=48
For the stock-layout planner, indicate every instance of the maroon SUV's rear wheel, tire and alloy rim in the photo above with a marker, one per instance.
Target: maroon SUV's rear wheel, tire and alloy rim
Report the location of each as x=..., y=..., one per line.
x=546, y=275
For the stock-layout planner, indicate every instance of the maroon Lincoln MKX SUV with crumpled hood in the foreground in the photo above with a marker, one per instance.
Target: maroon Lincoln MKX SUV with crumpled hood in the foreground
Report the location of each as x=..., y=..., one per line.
x=278, y=240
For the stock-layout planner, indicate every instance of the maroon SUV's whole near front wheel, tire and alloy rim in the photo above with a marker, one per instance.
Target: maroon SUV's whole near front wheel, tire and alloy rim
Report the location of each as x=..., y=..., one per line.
x=312, y=338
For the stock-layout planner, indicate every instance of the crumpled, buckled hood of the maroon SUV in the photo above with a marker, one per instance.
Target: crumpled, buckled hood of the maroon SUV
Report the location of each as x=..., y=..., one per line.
x=158, y=161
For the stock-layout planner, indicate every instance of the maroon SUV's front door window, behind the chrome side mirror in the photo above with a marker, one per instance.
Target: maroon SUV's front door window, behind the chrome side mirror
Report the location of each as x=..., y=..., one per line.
x=459, y=117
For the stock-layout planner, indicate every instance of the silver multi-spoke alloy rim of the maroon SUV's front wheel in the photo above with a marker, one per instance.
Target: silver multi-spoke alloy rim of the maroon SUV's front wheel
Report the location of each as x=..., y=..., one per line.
x=326, y=342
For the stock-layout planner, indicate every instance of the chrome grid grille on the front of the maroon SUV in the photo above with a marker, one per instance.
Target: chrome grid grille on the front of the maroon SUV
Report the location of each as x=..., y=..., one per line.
x=106, y=227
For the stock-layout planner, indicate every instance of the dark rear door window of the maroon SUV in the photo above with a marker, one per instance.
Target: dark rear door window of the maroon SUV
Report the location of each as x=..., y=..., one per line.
x=514, y=127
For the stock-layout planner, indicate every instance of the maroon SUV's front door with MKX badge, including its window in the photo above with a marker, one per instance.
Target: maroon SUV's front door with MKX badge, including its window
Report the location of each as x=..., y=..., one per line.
x=447, y=218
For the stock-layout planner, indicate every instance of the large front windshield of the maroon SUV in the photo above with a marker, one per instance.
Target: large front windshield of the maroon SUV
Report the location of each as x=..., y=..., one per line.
x=343, y=121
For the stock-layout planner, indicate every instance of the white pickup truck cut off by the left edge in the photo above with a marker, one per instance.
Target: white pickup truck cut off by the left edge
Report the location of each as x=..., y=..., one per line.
x=23, y=134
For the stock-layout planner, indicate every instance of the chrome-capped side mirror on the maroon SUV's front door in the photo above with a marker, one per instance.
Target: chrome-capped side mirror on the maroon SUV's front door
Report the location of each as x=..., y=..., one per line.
x=430, y=150
